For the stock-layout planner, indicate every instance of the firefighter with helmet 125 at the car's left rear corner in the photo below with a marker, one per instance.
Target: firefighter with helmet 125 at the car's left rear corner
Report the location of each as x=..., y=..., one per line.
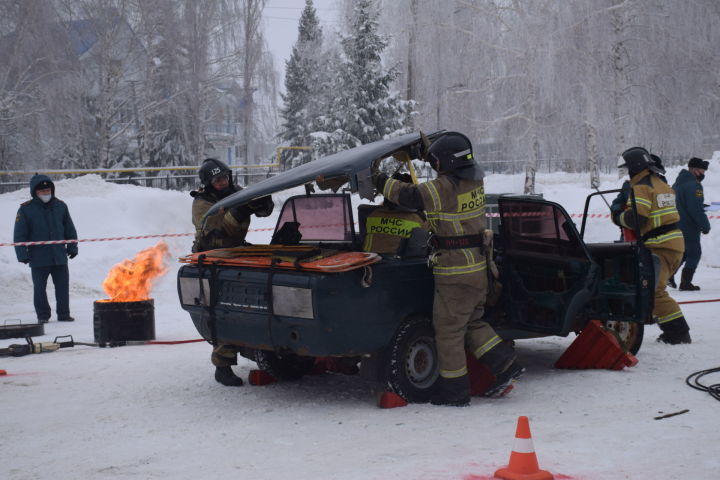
x=221, y=230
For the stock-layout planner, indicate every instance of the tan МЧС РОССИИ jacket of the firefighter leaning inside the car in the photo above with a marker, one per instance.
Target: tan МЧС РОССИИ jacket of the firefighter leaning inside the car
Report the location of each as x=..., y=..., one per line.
x=387, y=226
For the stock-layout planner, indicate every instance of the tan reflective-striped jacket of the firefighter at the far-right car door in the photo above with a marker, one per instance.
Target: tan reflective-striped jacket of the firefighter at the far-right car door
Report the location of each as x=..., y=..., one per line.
x=657, y=214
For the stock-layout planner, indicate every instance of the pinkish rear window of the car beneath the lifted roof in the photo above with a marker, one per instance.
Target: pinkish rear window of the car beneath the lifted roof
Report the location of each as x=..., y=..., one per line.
x=321, y=218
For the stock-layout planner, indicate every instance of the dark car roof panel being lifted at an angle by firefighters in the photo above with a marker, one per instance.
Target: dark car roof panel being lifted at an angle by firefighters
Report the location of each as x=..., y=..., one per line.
x=354, y=163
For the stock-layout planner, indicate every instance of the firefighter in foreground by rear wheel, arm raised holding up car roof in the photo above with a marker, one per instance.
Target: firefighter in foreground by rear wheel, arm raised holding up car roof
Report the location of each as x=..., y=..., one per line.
x=455, y=206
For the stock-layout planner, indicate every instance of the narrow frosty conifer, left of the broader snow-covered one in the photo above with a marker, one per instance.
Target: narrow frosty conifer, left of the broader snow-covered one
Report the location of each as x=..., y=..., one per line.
x=302, y=82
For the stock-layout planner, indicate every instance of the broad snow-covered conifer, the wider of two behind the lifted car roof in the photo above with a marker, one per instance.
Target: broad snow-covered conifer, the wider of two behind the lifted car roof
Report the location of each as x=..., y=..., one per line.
x=366, y=109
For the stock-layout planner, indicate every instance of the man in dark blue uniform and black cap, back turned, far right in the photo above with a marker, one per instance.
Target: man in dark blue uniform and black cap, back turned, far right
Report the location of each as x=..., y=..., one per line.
x=693, y=220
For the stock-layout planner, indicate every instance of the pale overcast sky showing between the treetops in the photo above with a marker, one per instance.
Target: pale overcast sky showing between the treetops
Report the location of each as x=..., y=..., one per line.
x=281, y=23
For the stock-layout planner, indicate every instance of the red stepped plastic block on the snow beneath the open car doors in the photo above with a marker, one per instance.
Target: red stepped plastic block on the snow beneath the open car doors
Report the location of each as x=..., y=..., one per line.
x=596, y=347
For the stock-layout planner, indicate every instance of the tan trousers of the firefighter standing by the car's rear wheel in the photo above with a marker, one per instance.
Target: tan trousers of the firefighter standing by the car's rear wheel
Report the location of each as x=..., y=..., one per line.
x=458, y=308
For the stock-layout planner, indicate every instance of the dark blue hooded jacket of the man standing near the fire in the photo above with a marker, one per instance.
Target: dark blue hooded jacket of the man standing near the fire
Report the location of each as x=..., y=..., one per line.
x=37, y=221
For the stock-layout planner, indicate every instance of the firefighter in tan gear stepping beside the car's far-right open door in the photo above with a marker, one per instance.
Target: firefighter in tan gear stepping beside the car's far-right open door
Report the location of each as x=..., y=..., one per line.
x=657, y=219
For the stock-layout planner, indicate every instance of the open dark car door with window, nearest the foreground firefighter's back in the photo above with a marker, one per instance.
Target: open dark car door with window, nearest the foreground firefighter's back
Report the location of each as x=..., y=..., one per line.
x=547, y=274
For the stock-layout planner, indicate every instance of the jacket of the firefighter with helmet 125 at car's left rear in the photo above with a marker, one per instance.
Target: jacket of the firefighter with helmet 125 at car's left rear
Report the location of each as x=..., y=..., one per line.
x=221, y=230
